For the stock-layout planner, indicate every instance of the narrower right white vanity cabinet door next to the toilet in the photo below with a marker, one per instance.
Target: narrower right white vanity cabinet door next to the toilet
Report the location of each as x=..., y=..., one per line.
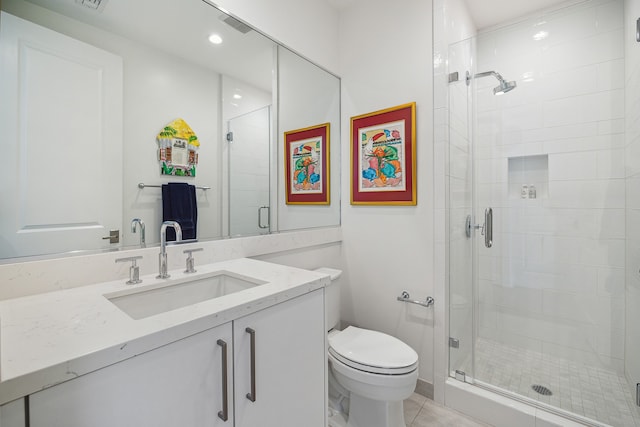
x=290, y=365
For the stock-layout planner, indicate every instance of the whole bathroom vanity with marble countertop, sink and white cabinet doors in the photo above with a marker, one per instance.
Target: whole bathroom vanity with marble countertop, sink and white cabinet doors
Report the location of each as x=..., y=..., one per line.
x=111, y=354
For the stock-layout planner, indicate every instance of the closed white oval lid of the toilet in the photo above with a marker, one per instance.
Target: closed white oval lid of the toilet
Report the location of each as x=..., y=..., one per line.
x=372, y=351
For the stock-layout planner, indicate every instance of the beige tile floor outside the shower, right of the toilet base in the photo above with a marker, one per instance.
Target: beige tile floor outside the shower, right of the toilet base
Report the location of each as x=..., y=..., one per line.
x=420, y=411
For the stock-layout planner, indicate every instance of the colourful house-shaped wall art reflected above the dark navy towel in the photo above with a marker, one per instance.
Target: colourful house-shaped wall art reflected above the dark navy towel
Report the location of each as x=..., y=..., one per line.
x=177, y=149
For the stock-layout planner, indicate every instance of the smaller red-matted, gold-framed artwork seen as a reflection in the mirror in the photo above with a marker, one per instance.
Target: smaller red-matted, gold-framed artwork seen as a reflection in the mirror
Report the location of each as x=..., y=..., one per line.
x=306, y=161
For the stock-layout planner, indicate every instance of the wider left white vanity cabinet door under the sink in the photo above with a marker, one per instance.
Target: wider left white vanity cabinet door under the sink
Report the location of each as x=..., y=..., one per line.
x=179, y=384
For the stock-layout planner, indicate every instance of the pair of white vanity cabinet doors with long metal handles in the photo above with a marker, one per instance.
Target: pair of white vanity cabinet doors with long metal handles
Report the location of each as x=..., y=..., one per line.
x=181, y=384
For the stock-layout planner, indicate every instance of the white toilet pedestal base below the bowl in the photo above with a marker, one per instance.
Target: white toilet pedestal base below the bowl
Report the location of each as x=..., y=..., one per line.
x=364, y=412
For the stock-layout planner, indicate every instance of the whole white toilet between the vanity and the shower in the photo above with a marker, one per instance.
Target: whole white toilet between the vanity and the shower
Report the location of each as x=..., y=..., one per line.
x=370, y=373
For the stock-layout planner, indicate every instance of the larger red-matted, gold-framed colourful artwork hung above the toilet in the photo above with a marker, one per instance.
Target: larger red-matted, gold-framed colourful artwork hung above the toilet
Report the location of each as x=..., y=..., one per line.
x=383, y=157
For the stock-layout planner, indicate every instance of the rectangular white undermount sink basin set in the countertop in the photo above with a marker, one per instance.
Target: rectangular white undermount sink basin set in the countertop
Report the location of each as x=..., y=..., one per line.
x=152, y=300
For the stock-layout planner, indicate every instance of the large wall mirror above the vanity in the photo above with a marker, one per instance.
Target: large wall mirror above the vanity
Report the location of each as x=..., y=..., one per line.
x=87, y=85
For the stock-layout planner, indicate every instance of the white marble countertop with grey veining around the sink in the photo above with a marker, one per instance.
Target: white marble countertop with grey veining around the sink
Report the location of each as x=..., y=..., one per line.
x=53, y=337
